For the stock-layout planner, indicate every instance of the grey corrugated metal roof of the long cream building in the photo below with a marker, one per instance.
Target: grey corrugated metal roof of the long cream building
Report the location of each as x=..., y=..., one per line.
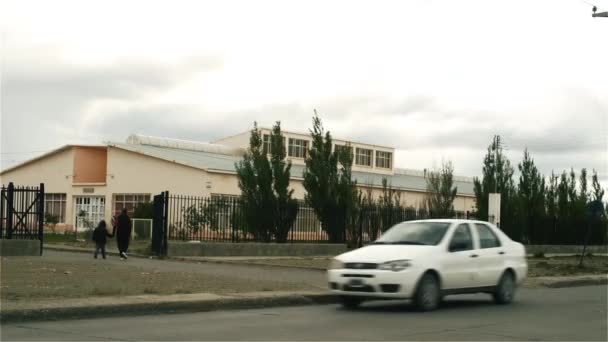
x=225, y=163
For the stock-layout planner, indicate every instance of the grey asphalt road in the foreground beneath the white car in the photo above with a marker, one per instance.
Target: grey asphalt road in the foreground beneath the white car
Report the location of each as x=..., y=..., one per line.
x=541, y=314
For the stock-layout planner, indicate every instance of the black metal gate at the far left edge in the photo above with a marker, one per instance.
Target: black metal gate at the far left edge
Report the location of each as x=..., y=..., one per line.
x=22, y=213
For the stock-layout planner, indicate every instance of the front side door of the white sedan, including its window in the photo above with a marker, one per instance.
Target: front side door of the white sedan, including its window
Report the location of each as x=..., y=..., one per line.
x=460, y=261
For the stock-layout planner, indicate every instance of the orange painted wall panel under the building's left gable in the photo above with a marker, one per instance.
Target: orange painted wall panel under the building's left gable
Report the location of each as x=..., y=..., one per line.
x=90, y=164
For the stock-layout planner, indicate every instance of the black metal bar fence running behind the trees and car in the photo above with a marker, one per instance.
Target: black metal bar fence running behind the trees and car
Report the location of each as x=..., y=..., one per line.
x=222, y=219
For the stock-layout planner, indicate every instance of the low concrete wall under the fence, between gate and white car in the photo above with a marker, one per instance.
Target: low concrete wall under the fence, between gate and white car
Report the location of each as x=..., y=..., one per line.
x=214, y=249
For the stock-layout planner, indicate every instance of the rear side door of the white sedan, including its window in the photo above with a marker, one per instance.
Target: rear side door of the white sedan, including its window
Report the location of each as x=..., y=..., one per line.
x=491, y=255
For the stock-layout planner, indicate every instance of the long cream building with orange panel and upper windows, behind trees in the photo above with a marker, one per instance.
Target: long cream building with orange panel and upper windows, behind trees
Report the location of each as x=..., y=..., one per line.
x=85, y=184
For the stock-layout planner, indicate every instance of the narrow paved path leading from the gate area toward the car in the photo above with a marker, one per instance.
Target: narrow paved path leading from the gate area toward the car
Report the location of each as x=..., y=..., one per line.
x=315, y=278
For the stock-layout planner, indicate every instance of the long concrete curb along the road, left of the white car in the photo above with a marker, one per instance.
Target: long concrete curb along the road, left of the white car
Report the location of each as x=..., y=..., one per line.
x=203, y=305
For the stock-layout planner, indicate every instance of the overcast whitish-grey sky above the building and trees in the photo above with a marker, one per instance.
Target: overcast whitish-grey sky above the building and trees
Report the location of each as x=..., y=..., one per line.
x=434, y=79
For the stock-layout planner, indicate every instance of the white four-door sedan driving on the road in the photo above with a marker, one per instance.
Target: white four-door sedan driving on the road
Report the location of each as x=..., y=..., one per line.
x=428, y=259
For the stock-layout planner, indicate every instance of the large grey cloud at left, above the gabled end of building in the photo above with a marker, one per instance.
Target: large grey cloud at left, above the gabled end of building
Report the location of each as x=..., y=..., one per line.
x=49, y=100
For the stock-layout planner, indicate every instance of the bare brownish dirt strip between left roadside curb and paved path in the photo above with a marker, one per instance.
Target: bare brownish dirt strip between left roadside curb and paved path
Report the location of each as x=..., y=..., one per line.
x=33, y=278
